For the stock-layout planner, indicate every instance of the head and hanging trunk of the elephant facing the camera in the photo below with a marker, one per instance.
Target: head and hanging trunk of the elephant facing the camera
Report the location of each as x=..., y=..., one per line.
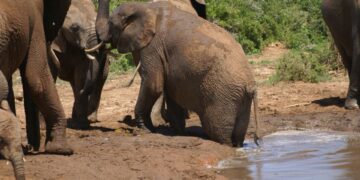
x=78, y=33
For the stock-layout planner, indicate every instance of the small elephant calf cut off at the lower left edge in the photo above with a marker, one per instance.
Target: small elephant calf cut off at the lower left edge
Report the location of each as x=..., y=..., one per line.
x=10, y=133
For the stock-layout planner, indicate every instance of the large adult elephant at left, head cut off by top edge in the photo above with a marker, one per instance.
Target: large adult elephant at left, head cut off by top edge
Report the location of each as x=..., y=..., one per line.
x=25, y=28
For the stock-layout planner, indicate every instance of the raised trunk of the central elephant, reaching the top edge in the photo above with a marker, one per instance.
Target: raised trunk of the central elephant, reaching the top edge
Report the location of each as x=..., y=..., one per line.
x=102, y=25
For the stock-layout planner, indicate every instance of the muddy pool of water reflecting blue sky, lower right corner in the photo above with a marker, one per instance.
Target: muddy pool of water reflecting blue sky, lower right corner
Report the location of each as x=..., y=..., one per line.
x=297, y=155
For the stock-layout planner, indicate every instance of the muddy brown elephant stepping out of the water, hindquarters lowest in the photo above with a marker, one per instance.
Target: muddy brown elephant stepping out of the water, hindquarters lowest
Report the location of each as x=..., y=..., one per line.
x=197, y=65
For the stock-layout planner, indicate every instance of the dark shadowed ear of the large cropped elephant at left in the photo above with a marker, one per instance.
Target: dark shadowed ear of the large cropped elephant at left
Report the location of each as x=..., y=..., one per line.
x=54, y=16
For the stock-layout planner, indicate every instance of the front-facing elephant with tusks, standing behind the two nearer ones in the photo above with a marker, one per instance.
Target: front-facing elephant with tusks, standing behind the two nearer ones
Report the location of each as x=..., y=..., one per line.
x=86, y=72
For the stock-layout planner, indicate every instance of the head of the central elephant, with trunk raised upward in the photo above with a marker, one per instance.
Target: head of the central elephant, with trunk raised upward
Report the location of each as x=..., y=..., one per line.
x=131, y=27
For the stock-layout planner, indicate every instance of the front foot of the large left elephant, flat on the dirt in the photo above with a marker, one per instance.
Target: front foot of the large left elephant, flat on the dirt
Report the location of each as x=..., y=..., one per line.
x=58, y=147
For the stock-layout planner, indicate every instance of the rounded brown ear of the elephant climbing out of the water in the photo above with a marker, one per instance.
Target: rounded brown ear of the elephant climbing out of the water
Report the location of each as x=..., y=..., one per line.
x=139, y=31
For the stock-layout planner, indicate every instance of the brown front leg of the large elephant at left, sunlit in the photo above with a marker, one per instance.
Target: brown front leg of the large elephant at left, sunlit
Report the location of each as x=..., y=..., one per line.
x=42, y=91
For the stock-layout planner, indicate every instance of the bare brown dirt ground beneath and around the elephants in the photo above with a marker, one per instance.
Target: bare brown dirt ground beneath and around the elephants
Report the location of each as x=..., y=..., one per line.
x=114, y=150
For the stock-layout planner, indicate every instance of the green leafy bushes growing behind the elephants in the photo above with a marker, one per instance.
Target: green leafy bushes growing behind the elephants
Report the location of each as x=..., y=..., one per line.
x=296, y=23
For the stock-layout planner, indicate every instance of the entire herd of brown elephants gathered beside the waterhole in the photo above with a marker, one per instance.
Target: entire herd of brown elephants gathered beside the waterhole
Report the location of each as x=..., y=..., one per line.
x=185, y=62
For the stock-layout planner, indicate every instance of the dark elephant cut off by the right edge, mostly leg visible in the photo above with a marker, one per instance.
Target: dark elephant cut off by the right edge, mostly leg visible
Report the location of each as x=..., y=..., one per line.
x=342, y=17
